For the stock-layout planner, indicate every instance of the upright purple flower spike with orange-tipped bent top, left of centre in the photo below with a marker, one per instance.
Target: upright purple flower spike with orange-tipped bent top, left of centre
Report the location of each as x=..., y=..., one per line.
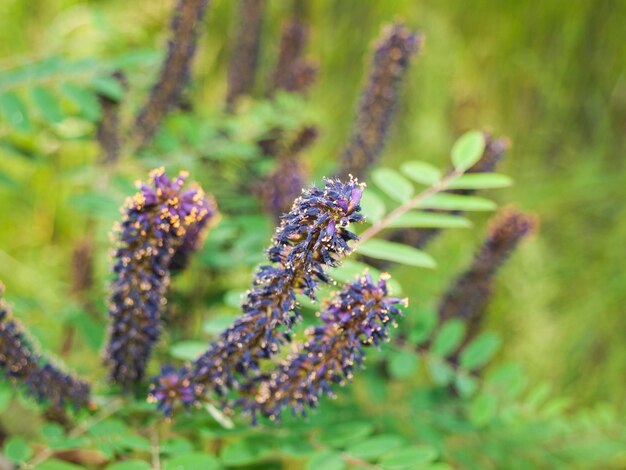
x=160, y=222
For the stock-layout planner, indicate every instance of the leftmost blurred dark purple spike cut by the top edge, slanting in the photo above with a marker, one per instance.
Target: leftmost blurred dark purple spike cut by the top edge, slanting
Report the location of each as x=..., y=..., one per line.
x=166, y=94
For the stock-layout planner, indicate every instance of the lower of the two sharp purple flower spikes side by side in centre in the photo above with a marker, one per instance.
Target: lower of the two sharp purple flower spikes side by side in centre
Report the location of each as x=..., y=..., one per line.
x=359, y=316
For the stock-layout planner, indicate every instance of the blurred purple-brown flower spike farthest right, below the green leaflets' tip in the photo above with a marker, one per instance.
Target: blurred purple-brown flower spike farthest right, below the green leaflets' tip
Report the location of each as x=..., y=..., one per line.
x=469, y=294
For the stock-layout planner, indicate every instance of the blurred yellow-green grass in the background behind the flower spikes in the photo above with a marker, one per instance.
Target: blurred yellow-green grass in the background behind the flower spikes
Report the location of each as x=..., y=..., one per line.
x=551, y=76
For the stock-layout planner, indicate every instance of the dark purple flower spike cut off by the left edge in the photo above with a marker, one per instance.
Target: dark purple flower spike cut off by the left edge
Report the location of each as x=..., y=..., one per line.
x=44, y=381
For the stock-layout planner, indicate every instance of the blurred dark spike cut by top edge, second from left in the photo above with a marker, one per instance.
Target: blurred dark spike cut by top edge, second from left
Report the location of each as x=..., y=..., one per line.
x=244, y=56
